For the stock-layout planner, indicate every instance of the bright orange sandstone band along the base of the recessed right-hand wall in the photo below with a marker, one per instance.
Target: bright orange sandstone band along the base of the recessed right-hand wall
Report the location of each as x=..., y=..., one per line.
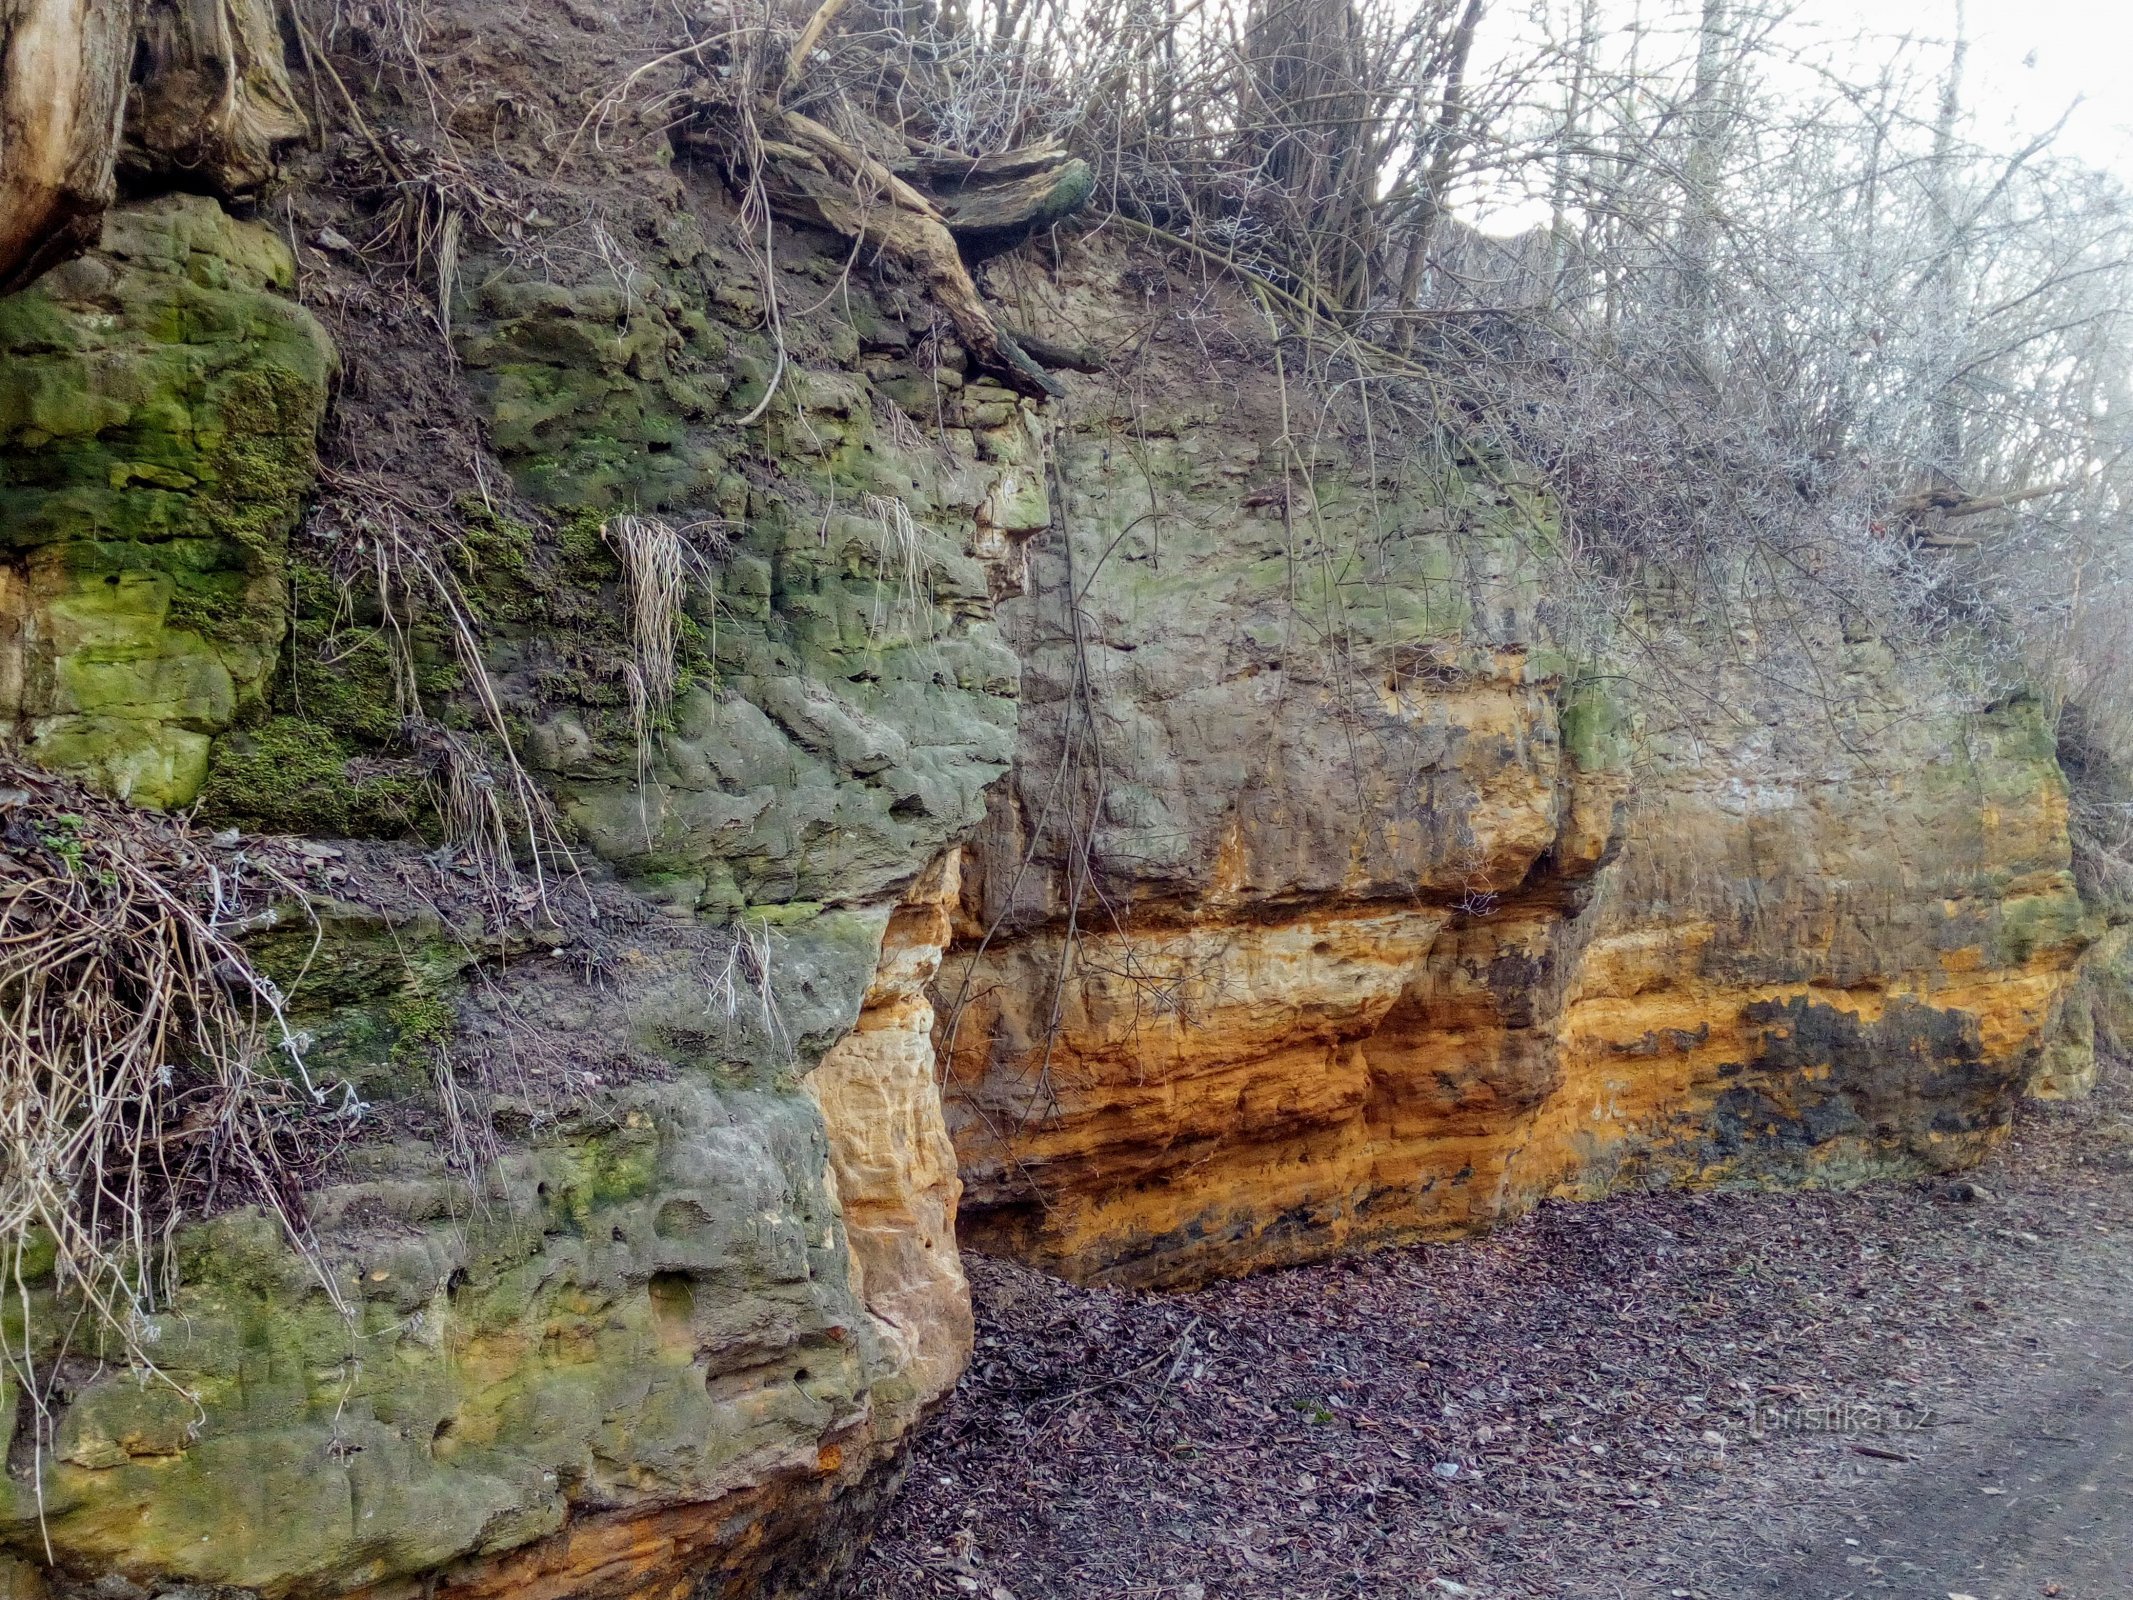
x=1228, y=1091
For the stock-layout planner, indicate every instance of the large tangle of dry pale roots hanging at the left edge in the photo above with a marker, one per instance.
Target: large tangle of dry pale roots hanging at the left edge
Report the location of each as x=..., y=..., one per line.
x=146, y=1070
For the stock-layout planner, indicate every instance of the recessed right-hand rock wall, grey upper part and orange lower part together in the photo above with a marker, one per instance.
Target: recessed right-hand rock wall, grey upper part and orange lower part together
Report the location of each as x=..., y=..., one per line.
x=1394, y=921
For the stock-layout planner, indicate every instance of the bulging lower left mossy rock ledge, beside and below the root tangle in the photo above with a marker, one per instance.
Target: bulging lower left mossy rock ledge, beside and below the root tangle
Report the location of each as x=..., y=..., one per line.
x=643, y=1307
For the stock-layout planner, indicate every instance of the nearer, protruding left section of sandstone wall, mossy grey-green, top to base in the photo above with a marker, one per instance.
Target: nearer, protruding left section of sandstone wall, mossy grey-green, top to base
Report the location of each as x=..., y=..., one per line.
x=639, y=1258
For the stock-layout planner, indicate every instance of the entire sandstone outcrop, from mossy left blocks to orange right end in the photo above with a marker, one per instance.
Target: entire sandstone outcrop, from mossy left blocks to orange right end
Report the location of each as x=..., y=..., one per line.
x=1176, y=835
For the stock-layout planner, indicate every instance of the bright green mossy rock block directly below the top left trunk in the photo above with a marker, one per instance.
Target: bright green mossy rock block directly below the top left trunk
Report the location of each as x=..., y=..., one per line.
x=159, y=415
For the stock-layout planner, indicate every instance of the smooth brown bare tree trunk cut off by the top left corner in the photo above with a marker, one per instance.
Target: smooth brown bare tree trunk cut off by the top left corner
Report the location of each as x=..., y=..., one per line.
x=63, y=95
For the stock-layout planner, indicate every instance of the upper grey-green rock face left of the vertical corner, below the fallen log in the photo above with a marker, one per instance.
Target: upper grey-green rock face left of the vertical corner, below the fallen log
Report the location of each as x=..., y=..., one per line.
x=846, y=699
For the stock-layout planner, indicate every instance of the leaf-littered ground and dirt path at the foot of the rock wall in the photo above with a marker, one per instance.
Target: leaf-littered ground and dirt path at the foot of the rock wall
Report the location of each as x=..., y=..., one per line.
x=1908, y=1390
